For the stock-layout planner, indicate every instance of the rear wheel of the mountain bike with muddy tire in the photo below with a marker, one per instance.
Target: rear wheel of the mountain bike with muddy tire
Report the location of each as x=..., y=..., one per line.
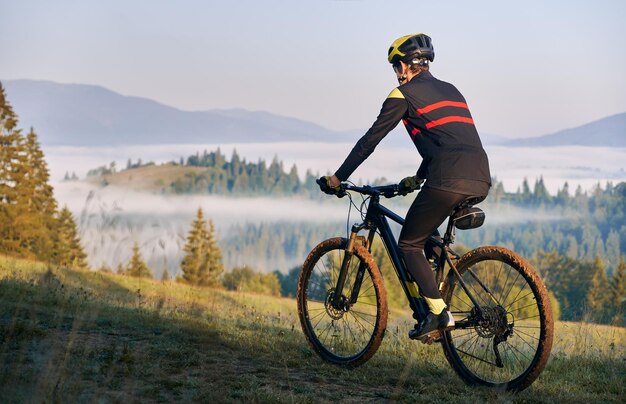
x=526, y=323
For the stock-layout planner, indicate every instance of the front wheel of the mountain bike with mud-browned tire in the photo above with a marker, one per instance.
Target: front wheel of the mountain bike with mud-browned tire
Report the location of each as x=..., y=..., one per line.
x=347, y=338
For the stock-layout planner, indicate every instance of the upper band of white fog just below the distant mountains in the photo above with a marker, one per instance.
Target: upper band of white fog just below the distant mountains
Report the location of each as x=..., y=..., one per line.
x=578, y=165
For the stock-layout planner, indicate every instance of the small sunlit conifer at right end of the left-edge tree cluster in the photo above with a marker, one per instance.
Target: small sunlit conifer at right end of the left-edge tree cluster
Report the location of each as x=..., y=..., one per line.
x=67, y=248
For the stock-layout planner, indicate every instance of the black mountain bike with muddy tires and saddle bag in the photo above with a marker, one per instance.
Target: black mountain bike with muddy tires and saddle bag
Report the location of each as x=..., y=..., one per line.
x=503, y=329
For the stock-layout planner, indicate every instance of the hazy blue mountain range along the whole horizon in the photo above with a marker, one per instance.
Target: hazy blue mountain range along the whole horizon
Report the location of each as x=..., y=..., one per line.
x=87, y=115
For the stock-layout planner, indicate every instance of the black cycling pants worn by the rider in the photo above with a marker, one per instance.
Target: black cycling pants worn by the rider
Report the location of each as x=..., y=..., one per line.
x=429, y=209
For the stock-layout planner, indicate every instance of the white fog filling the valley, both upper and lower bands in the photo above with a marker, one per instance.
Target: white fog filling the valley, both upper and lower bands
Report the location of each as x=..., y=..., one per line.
x=111, y=219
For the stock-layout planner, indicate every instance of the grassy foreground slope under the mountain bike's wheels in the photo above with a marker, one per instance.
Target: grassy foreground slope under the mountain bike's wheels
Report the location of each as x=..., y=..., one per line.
x=71, y=336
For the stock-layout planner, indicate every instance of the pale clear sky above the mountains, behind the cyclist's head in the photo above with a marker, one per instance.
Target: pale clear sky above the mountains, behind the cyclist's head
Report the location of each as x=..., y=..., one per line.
x=526, y=68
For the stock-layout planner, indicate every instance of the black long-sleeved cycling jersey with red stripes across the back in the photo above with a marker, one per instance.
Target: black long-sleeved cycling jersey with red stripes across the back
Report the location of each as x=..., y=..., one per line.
x=439, y=122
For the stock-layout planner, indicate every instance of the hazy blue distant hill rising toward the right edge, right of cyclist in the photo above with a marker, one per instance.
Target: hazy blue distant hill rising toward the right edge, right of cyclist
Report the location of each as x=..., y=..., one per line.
x=610, y=132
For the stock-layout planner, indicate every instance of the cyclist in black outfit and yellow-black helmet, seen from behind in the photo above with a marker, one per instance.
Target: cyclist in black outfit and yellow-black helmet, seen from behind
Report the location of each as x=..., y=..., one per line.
x=454, y=163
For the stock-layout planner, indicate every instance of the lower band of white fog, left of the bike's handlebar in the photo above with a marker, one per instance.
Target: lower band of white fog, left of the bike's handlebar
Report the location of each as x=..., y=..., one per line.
x=110, y=220
